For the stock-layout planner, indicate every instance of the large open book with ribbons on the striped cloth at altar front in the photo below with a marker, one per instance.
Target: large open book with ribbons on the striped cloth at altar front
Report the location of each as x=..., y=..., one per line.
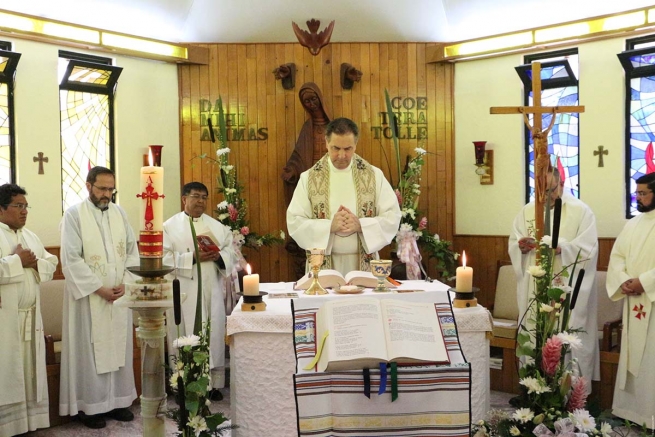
x=362, y=332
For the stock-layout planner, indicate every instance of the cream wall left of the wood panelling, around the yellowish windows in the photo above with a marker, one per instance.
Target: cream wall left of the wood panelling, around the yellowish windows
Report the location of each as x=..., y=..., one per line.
x=146, y=112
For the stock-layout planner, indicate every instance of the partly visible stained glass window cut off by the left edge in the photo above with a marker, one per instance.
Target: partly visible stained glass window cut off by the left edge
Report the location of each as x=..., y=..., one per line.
x=8, y=64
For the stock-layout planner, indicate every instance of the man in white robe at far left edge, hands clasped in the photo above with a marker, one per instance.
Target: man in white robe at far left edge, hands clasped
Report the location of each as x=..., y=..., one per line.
x=24, y=264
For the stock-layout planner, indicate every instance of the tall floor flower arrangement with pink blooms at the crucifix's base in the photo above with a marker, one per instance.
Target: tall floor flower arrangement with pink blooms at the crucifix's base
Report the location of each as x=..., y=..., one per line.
x=552, y=395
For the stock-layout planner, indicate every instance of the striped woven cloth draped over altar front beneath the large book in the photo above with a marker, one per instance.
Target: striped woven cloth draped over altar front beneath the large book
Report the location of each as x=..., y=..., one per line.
x=431, y=400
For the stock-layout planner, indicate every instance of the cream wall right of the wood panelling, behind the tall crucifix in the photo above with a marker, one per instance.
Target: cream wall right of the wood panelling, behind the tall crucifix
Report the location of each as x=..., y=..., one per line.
x=479, y=85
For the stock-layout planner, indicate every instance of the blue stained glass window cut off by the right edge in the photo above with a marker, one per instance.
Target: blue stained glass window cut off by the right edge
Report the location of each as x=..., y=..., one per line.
x=639, y=64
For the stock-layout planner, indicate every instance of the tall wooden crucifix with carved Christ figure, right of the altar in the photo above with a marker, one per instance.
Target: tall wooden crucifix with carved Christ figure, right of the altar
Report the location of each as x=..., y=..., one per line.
x=540, y=137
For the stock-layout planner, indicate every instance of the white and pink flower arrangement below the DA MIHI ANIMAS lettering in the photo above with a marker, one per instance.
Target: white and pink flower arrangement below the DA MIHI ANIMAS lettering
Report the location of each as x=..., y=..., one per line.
x=233, y=210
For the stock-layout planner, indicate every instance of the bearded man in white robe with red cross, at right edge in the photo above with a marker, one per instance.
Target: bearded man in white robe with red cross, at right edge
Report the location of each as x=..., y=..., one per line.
x=631, y=276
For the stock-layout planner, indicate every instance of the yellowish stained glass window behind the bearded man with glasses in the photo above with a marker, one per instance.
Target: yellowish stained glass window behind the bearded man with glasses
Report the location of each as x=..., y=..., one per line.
x=86, y=111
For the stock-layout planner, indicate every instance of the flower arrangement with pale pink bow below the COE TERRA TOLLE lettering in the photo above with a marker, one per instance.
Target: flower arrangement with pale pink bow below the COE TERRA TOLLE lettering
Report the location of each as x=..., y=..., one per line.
x=413, y=231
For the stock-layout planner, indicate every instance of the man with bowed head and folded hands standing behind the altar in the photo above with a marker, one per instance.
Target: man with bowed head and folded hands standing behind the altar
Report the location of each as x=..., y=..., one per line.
x=343, y=204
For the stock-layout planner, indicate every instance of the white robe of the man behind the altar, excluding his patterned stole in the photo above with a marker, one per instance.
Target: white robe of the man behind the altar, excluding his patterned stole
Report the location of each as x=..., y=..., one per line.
x=376, y=231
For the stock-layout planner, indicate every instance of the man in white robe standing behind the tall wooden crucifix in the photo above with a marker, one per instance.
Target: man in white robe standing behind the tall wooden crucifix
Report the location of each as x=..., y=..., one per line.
x=577, y=233
